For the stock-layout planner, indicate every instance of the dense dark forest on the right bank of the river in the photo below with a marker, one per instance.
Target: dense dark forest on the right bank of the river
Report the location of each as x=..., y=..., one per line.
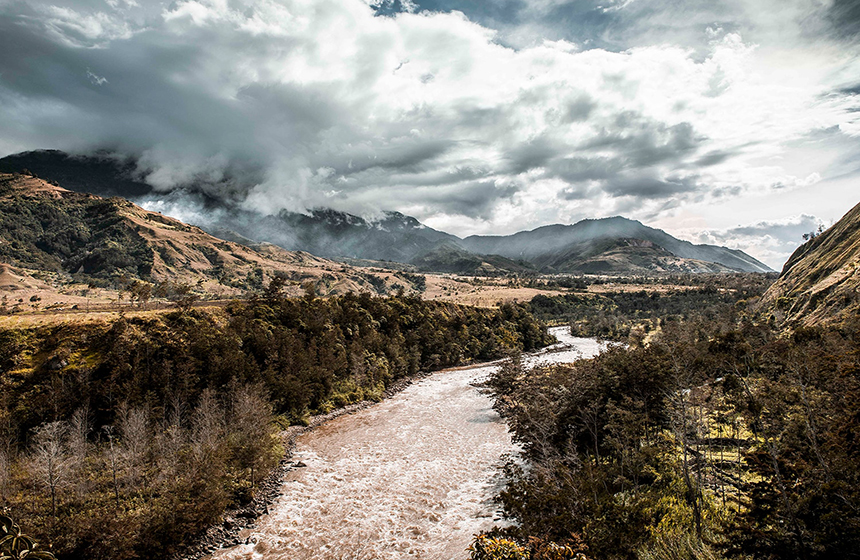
x=719, y=438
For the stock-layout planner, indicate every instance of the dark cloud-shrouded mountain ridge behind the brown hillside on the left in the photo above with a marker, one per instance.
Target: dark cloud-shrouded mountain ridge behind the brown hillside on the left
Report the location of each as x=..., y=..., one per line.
x=324, y=232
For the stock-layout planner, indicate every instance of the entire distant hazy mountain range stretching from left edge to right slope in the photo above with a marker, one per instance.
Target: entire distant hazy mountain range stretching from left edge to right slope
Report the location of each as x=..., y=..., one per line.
x=611, y=245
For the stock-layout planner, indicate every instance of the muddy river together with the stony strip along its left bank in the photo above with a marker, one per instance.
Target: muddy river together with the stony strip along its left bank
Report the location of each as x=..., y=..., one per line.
x=334, y=452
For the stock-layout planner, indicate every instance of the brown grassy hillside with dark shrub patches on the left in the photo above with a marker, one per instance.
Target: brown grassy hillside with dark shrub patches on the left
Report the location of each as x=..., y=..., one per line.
x=45, y=227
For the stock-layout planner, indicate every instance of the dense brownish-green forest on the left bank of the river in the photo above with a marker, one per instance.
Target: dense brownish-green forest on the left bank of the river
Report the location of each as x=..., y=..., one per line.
x=126, y=439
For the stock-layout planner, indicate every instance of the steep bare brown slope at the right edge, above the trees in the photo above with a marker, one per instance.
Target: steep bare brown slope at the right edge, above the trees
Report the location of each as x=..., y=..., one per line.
x=820, y=282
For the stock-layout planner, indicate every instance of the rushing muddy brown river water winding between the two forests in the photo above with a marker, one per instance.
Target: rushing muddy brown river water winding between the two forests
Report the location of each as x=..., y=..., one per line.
x=410, y=477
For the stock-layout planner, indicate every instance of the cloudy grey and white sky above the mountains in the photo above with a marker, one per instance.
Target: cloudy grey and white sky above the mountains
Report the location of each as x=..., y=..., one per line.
x=734, y=122
